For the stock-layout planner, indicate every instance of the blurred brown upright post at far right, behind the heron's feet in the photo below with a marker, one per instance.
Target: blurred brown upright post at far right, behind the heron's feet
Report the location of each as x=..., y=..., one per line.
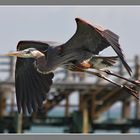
x=136, y=76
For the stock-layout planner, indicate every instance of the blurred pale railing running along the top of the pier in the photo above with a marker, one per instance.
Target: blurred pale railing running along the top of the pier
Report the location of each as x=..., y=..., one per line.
x=7, y=68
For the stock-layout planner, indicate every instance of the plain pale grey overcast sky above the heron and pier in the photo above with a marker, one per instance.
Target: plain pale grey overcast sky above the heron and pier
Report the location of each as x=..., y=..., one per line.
x=57, y=23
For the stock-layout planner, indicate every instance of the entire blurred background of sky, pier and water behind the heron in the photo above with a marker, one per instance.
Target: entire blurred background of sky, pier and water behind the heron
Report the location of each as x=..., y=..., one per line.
x=77, y=102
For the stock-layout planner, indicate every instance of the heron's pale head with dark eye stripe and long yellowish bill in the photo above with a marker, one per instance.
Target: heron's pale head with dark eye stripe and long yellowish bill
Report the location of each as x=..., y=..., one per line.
x=27, y=53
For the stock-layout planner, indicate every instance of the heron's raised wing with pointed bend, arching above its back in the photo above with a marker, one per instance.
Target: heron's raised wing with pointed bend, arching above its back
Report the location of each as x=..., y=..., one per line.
x=95, y=39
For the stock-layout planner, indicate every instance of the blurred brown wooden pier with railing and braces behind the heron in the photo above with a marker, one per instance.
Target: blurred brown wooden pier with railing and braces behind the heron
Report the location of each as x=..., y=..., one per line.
x=94, y=97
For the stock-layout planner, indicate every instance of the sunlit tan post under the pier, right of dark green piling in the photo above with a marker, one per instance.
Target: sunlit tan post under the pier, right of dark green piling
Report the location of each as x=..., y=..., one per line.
x=85, y=118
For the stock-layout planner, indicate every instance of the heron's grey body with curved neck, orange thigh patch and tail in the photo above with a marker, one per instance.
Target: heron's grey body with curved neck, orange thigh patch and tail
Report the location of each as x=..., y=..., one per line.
x=55, y=57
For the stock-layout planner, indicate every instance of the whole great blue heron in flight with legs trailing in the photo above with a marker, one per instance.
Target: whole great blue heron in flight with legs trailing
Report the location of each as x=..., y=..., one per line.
x=37, y=60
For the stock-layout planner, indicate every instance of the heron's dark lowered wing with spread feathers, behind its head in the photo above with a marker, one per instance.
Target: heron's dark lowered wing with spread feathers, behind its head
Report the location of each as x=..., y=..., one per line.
x=31, y=86
